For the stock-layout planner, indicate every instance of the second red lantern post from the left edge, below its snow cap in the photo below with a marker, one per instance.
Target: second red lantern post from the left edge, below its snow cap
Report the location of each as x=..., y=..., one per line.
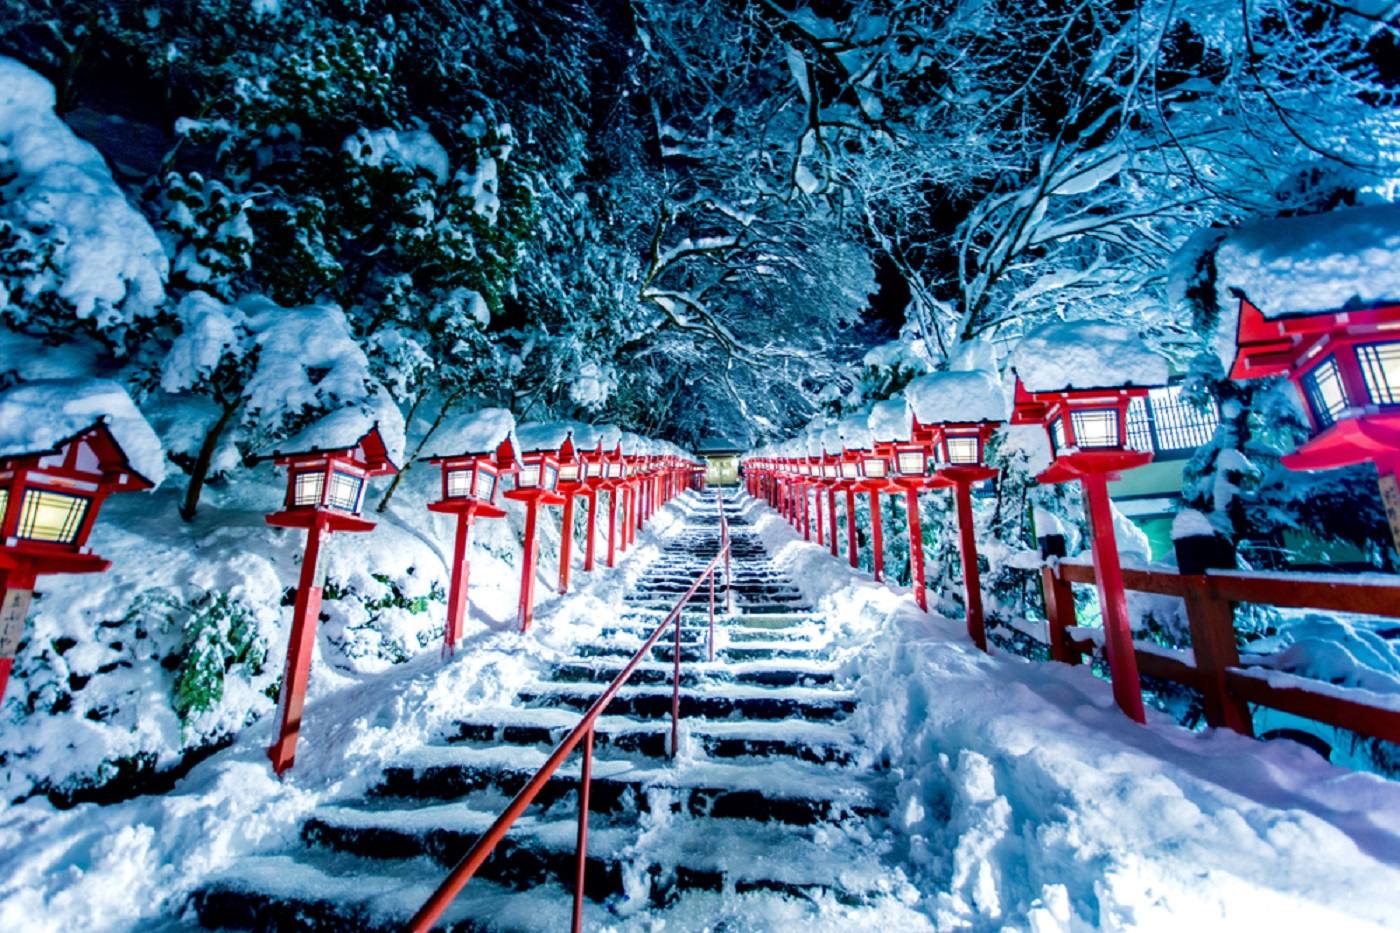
x=325, y=494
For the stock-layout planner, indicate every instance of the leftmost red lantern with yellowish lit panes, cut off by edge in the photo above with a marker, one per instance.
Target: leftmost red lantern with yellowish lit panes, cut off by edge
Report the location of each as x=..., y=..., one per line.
x=50, y=501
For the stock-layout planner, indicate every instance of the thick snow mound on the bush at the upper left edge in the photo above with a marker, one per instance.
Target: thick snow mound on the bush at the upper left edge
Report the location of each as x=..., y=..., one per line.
x=58, y=193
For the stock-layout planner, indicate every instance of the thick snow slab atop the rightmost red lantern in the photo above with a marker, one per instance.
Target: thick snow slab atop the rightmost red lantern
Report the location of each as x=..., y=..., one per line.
x=1289, y=267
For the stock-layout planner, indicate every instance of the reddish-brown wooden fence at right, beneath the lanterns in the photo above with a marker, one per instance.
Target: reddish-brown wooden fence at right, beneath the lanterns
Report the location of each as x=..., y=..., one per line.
x=1213, y=666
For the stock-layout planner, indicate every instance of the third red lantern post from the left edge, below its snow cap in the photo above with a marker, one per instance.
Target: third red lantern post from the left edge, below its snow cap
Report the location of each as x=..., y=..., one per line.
x=471, y=483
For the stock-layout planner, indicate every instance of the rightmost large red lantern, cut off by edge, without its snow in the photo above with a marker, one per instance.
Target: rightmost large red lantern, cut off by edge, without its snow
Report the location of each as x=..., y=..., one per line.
x=1346, y=366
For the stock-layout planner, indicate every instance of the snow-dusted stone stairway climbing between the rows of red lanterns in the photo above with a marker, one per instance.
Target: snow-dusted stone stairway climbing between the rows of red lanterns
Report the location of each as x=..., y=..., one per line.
x=772, y=792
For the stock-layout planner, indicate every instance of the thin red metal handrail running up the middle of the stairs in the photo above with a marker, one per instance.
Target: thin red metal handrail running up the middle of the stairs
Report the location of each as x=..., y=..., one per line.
x=583, y=733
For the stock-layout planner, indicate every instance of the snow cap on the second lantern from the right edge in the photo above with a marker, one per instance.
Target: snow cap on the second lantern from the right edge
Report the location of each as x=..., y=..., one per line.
x=1086, y=355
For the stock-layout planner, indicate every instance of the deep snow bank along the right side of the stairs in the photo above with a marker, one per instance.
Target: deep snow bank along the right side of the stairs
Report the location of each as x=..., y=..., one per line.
x=1027, y=801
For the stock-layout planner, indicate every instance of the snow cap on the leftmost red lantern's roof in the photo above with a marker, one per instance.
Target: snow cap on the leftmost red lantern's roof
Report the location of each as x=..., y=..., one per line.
x=44, y=415
